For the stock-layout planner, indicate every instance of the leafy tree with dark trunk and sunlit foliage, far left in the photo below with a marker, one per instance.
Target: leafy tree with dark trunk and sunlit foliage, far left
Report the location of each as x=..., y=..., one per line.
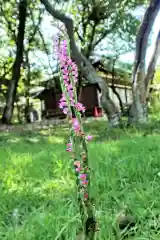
x=33, y=41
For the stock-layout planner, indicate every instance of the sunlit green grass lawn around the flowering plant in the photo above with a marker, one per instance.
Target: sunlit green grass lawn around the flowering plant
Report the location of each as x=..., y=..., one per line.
x=37, y=183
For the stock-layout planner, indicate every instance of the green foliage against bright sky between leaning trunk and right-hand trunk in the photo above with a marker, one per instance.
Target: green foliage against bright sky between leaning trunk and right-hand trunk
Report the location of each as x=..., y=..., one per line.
x=96, y=20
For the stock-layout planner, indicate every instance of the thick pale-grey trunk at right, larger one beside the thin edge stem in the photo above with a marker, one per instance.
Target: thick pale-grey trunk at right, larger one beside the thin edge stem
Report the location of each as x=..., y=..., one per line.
x=138, y=110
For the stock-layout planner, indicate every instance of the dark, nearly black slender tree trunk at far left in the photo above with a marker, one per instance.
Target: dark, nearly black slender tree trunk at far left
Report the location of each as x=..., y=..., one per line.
x=12, y=88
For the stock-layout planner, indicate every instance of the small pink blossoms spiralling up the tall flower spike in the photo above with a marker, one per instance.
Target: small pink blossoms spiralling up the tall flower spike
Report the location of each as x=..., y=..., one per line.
x=70, y=73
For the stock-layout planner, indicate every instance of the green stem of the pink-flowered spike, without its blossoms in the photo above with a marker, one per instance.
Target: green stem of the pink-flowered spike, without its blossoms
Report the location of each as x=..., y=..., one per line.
x=86, y=206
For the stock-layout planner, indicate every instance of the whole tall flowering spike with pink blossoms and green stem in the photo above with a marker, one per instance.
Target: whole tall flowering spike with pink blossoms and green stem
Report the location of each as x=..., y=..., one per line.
x=77, y=144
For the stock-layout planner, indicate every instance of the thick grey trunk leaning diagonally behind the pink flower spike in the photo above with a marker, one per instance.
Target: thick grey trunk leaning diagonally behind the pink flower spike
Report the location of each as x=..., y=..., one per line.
x=86, y=68
